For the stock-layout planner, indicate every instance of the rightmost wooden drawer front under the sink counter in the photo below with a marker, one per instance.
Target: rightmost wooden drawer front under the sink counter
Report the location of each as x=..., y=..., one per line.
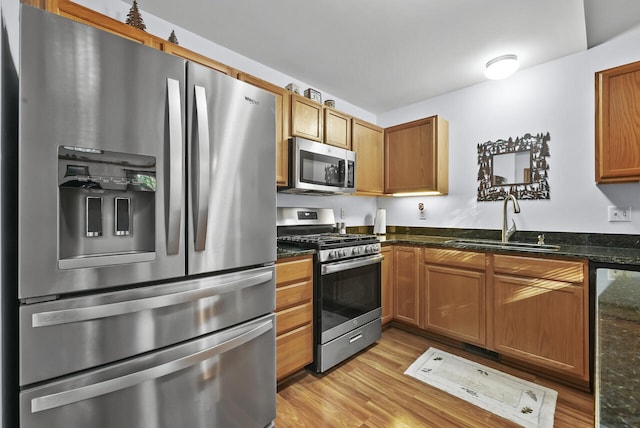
x=559, y=270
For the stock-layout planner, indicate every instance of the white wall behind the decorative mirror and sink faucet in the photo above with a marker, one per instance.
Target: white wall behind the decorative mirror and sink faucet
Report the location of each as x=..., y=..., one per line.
x=556, y=97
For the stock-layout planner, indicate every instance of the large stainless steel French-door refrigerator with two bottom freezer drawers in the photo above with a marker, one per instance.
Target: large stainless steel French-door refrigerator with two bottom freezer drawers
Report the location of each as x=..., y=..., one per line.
x=143, y=265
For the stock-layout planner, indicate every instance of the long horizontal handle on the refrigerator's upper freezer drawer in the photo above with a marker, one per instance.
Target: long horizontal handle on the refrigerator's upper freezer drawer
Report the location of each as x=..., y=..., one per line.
x=65, y=316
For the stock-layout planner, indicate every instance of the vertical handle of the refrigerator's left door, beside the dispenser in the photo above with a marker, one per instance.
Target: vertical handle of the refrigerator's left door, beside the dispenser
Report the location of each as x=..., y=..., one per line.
x=174, y=185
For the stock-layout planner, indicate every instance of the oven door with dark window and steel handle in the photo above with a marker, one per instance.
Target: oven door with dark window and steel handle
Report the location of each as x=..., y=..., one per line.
x=349, y=294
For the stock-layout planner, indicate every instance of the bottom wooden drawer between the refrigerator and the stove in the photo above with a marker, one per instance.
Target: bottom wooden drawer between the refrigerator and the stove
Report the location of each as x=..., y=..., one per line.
x=294, y=350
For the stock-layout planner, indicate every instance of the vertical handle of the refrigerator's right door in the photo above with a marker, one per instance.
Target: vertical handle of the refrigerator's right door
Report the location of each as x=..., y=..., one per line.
x=201, y=169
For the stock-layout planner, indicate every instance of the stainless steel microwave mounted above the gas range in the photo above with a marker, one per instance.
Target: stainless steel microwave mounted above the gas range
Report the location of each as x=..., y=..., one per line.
x=320, y=168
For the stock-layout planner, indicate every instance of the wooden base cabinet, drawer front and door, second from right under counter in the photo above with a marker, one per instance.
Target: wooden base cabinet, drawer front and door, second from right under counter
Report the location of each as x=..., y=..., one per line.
x=454, y=294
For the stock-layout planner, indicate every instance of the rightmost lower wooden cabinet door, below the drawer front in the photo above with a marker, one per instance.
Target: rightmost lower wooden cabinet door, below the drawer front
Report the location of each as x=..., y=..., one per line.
x=541, y=322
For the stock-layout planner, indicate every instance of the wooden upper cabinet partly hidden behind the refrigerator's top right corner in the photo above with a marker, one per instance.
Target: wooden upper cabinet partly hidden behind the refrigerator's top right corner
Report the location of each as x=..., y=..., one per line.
x=283, y=99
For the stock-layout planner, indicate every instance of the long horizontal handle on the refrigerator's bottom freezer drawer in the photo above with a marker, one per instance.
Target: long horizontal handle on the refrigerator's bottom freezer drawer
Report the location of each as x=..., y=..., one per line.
x=101, y=388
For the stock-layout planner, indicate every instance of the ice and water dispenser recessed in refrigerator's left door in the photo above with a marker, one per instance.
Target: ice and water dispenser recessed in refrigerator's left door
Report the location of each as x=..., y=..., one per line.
x=106, y=207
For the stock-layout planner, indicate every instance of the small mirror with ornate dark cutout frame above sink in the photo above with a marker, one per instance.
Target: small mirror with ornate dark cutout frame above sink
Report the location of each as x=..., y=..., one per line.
x=514, y=166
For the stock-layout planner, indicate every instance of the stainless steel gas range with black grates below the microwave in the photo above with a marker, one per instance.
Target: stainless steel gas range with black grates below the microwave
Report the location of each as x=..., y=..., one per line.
x=347, y=281
